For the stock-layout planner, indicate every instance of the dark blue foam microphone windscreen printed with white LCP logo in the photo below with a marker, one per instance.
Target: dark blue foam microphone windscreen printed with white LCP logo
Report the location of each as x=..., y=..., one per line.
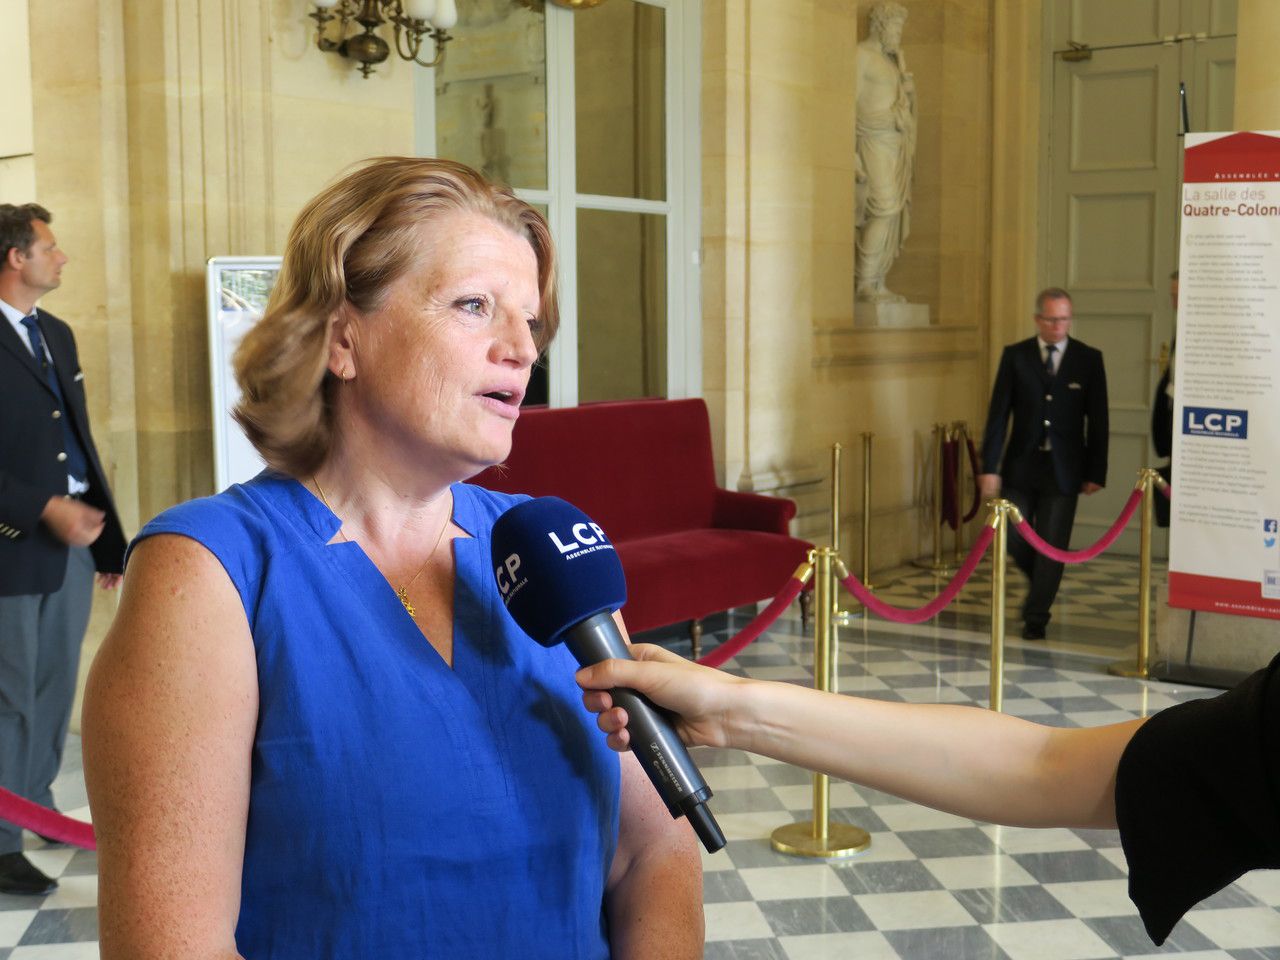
x=555, y=568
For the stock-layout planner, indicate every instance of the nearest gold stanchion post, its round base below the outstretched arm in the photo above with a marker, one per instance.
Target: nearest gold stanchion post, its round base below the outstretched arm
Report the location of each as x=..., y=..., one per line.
x=820, y=838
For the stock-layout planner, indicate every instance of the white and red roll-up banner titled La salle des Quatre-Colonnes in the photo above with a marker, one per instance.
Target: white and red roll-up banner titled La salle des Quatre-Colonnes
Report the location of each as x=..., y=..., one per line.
x=1226, y=515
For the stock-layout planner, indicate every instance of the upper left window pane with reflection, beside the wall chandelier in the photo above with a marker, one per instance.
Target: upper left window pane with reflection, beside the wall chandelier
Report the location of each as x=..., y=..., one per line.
x=491, y=94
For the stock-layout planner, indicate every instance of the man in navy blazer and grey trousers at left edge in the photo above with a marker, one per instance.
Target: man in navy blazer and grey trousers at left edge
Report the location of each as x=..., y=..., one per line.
x=58, y=527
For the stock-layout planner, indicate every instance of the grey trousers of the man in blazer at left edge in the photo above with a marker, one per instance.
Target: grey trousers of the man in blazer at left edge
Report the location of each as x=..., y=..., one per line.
x=40, y=646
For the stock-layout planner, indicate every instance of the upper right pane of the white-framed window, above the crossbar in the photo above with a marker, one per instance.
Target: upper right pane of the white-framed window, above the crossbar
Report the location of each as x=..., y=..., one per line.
x=620, y=94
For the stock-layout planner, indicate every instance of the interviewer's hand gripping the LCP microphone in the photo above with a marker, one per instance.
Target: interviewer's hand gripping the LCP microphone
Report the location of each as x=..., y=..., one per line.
x=702, y=698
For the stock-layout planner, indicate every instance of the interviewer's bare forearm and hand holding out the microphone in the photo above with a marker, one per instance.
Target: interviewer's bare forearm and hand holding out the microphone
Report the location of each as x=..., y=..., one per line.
x=962, y=760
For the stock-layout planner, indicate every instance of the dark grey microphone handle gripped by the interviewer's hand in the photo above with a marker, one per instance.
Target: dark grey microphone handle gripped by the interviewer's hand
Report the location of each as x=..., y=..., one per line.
x=653, y=738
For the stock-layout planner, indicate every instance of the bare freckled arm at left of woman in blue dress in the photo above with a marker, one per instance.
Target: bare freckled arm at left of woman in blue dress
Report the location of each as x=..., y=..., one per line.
x=170, y=716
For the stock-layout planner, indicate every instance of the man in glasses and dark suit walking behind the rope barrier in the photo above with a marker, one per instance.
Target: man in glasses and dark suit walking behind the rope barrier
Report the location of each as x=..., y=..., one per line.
x=1057, y=391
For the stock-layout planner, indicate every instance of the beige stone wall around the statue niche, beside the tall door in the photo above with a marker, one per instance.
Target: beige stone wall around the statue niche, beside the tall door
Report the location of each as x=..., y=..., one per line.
x=787, y=372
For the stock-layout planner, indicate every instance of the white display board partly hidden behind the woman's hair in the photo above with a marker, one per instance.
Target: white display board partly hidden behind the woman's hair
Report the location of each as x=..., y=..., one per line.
x=237, y=290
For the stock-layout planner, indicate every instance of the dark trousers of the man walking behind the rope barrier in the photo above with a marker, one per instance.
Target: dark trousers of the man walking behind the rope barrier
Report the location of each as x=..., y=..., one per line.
x=1052, y=514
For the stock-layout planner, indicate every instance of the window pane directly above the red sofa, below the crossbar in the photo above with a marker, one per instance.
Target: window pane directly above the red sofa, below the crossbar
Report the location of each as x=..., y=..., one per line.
x=621, y=305
